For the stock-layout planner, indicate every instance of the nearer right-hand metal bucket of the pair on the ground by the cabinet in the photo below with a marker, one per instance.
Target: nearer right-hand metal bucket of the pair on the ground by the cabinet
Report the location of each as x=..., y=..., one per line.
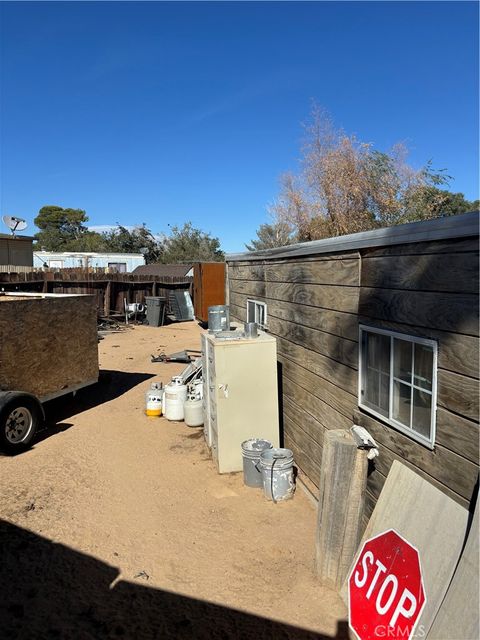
x=278, y=479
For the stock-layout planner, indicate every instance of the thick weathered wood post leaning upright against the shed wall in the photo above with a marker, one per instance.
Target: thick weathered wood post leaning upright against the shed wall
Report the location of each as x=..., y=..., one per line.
x=343, y=478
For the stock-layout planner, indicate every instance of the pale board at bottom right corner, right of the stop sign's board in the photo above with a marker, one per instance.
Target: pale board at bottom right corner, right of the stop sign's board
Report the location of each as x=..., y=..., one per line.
x=458, y=615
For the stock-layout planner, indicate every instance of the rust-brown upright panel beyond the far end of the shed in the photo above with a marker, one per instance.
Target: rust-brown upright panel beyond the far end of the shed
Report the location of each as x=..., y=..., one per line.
x=208, y=287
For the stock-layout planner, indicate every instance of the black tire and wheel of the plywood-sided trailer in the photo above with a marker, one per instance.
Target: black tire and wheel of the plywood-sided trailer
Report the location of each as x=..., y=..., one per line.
x=20, y=417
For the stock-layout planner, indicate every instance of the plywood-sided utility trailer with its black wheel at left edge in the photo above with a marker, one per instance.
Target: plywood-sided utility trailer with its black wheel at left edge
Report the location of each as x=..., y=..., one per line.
x=48, y=348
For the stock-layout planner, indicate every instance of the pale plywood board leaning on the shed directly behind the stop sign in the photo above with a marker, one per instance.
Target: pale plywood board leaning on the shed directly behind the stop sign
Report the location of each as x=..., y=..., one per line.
x=430, y=521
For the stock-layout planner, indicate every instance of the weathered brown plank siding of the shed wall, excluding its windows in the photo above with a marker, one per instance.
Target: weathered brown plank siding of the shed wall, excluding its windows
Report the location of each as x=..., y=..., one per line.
x=315, y=306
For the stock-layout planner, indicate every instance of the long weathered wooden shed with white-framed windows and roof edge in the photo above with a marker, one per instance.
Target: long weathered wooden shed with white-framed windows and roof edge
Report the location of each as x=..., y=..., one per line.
x=378, y=329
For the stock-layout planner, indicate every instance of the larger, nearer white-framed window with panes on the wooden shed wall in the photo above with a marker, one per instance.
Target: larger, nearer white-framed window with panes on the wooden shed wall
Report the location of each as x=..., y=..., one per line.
x=397, y=381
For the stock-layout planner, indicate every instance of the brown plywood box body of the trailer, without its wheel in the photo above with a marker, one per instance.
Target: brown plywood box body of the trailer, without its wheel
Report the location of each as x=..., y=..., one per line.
x=48, y=343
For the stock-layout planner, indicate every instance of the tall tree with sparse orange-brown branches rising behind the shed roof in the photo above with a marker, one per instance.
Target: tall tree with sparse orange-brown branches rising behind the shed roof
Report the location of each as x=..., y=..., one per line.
x=346, y=186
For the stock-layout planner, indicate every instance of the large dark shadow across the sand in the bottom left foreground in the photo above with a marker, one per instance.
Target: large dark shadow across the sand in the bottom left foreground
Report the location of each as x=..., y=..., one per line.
x=51, y=591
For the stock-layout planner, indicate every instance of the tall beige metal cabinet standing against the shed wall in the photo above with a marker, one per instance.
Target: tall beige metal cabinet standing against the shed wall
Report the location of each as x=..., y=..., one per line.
x=240, y=395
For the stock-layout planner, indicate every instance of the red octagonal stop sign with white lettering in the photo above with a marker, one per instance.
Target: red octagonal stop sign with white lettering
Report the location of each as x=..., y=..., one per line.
x=385, y=589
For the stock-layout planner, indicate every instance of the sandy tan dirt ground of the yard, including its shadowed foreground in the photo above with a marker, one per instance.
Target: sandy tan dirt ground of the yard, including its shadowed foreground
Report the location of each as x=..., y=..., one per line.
x=118, y=525
